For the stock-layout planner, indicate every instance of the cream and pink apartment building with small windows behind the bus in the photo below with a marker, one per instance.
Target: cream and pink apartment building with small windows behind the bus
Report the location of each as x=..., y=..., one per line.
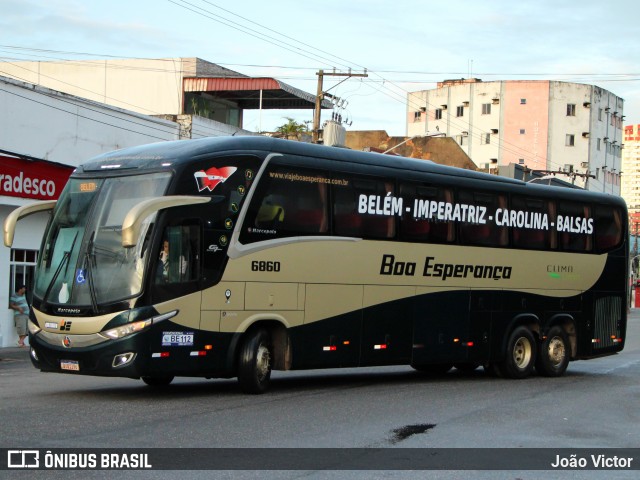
x=543, y=125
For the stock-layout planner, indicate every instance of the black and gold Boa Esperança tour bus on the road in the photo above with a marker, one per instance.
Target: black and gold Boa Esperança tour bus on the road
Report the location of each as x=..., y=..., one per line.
x=230, y=257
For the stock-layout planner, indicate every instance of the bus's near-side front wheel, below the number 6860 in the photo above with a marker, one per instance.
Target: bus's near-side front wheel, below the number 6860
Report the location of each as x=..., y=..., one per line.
x=254, y=362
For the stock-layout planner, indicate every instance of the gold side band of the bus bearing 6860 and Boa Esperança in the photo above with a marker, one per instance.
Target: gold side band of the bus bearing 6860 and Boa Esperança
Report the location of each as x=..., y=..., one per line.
x=360, y=263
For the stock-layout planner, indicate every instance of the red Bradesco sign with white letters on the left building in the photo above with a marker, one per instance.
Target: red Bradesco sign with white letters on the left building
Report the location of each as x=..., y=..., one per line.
x=36, y=179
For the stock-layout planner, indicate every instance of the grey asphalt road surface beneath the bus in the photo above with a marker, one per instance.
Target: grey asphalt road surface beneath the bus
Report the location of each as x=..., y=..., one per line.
x=595, y=405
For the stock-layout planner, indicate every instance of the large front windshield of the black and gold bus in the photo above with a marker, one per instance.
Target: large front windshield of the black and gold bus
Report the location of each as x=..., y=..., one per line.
x=83, y=261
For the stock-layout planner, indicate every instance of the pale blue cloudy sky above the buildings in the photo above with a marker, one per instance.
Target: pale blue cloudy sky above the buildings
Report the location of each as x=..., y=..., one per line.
x=406, y=45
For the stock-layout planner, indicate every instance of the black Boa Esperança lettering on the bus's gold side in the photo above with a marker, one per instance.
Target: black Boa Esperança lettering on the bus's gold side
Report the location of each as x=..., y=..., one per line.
x=432, y=268
